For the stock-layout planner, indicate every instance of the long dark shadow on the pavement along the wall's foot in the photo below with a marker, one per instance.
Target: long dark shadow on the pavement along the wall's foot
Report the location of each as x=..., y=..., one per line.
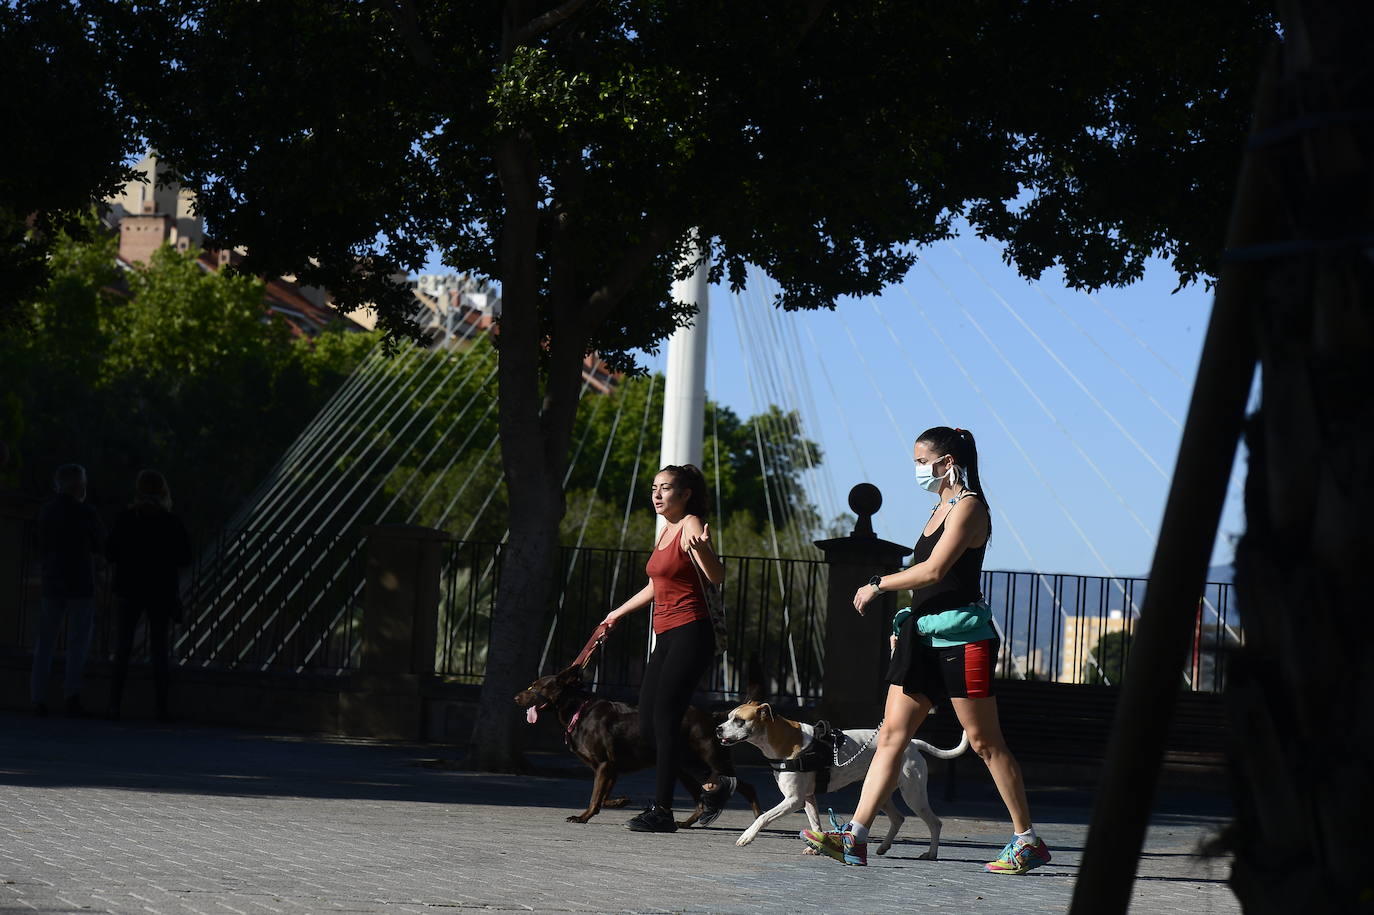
x=223, y=762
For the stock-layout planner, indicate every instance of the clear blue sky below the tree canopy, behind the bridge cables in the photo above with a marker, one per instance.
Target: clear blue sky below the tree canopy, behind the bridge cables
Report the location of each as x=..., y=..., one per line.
x=1077, y=454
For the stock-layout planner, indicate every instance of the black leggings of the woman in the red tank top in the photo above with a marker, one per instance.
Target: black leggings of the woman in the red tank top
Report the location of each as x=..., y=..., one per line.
x=681, y=657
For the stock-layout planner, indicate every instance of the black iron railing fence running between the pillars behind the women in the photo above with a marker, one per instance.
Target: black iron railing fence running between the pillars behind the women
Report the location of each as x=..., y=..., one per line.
x=273, y=601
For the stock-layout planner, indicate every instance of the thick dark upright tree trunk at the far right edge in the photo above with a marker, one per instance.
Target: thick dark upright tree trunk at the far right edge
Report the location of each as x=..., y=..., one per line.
x=1302, y=736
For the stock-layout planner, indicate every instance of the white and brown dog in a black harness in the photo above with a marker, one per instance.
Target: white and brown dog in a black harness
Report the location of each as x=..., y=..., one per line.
x=781, y=738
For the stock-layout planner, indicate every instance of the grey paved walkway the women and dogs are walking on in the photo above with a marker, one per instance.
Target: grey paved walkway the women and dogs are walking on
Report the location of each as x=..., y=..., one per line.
x=134, y=818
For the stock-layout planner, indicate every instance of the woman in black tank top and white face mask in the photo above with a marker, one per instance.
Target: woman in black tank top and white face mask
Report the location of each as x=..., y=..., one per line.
x=947, y=648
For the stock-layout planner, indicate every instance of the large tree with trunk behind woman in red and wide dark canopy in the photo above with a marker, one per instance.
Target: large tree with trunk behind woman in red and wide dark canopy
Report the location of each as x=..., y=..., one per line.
x=578, y=153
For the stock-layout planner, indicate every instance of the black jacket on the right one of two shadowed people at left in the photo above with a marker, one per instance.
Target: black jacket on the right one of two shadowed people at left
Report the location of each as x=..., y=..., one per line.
x=149, y=547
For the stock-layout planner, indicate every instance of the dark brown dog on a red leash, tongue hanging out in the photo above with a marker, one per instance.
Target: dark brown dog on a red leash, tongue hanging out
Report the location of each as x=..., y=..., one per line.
x=605, y=736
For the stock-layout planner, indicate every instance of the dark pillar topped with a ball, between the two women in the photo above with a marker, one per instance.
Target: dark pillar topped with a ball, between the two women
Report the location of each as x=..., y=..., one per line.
x=857, y=646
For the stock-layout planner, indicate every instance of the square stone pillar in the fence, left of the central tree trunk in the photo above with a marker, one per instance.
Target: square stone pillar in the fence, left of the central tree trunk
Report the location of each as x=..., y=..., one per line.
x=401, y=600
